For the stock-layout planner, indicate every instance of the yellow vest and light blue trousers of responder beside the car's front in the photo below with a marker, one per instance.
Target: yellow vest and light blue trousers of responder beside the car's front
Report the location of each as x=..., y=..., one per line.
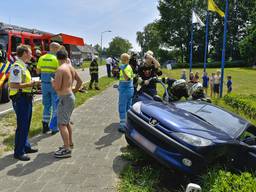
x=126, y=91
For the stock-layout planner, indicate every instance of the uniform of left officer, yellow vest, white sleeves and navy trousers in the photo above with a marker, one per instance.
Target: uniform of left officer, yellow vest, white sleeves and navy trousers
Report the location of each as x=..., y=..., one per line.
x=22, y=105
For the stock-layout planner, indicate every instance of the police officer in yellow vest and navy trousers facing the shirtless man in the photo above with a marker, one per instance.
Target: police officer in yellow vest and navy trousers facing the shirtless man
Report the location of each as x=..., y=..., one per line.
x=21, y=94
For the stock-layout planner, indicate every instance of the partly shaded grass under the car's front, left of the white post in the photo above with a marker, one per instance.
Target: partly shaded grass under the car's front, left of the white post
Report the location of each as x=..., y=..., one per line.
x=145, y=174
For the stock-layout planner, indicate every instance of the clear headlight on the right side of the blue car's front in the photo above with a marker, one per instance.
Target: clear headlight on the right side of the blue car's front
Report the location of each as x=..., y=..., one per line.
x=193, y=140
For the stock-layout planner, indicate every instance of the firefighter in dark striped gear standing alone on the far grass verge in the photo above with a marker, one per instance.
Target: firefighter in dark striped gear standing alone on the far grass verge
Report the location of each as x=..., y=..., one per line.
x=94, y=72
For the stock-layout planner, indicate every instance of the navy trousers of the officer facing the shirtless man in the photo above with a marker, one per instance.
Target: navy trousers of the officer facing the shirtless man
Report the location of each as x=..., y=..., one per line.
x=22, y=105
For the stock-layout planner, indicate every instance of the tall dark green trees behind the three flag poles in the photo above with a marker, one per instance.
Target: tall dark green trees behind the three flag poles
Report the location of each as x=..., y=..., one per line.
x=175, y=27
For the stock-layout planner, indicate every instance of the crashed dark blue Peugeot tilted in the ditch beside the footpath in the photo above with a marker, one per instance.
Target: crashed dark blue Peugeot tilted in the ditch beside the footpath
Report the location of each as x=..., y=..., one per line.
x=189, y=135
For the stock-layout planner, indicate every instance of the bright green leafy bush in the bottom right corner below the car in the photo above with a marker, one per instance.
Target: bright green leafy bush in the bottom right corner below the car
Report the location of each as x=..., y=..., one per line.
x=224, y=181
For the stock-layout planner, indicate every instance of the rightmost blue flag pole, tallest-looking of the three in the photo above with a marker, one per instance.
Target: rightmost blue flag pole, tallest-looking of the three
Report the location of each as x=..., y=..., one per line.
x=224, y=49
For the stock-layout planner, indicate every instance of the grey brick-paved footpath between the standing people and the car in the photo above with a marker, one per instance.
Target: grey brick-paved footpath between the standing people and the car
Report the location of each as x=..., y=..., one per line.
x=95, y=163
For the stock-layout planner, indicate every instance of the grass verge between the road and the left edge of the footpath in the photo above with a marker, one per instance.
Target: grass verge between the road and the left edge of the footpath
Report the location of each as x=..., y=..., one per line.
x=8, y=122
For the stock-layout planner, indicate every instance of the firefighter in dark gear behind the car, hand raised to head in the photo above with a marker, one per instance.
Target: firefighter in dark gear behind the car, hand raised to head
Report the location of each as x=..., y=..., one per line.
x=148, y=70
